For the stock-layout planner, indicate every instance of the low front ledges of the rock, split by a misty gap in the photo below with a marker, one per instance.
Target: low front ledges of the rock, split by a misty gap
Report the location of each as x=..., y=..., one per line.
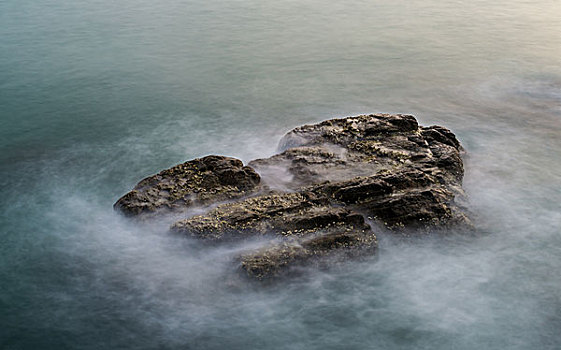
x=307, y=227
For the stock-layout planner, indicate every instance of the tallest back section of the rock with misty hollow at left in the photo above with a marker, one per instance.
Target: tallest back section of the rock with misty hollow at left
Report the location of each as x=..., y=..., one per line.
x=341, y=149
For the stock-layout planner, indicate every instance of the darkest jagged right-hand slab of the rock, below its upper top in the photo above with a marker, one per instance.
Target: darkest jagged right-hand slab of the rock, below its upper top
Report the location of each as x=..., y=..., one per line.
x=409, y=198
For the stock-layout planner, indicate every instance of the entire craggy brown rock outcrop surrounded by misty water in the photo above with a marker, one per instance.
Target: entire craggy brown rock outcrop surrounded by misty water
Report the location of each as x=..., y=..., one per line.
x=312, y=199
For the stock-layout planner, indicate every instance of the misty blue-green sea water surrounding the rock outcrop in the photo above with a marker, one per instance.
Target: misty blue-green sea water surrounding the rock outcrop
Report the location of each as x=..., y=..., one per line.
x=96, y=95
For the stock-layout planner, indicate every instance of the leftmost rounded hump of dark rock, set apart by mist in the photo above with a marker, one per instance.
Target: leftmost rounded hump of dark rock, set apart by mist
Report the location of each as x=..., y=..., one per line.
x=196, y=182
